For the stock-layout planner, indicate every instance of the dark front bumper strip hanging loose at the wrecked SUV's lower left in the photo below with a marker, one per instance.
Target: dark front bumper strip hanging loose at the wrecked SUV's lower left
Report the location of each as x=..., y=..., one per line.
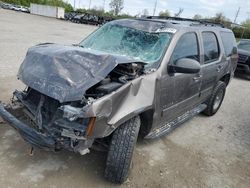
x=29, y=134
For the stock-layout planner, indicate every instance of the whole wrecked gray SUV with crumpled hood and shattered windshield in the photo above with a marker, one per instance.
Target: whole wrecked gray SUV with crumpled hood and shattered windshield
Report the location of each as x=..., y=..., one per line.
x=130, y=77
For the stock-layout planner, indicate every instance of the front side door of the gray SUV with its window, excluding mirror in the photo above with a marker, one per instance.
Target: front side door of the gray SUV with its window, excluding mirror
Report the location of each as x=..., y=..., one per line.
x=180, y=92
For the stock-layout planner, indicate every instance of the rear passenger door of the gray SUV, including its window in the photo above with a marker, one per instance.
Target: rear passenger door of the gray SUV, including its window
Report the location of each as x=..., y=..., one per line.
x=212, y=63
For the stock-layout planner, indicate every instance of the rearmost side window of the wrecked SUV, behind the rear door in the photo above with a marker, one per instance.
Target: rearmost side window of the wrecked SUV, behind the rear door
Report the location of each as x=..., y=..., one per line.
x=229, y=42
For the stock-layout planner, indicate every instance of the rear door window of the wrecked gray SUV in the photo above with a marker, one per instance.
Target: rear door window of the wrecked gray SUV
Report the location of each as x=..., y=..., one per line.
x=211, y=48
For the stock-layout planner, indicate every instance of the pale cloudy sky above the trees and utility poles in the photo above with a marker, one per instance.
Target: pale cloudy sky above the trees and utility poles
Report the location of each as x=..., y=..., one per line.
x=191, y=7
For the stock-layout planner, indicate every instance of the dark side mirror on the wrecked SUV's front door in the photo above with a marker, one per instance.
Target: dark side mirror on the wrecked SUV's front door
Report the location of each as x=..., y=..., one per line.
x=186, y=66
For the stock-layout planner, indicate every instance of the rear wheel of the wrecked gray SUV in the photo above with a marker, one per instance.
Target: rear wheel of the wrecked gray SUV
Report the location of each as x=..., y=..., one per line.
x=219, y=90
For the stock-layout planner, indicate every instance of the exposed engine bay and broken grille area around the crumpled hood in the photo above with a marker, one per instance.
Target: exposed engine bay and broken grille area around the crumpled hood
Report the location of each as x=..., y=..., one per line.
x=59, y=121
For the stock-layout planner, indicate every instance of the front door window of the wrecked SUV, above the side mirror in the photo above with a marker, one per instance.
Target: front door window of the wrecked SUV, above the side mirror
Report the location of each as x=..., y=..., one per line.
x=187, y=47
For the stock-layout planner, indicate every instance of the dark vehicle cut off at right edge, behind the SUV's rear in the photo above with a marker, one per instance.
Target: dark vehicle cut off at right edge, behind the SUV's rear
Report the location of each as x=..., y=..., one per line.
x=243, y=66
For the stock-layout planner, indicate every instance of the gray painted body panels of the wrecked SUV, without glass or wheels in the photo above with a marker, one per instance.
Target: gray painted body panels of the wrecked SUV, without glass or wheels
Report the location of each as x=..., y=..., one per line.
x=167, y=95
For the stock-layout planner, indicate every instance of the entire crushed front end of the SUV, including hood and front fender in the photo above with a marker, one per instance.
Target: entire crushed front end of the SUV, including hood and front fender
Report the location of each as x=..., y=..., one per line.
x=72, y=102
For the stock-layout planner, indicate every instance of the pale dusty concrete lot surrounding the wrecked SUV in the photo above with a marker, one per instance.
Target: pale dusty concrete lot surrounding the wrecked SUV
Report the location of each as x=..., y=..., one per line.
x=204, y=152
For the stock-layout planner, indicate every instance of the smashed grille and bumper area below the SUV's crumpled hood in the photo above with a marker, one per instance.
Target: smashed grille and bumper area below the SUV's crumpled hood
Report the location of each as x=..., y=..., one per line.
x=44, y=123
